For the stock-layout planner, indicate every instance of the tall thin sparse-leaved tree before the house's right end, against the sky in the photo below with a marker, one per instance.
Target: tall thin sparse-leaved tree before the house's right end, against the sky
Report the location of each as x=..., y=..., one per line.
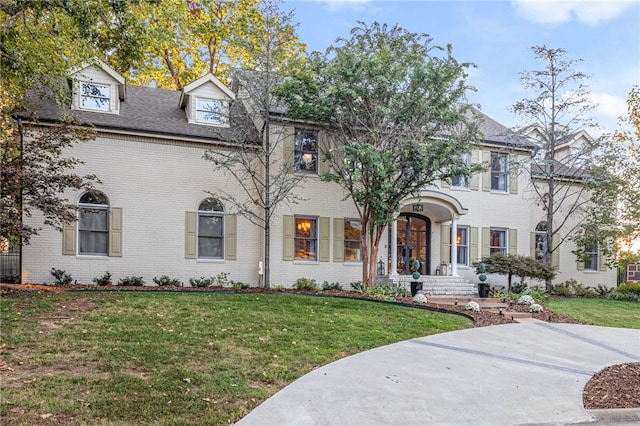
x=567, y=184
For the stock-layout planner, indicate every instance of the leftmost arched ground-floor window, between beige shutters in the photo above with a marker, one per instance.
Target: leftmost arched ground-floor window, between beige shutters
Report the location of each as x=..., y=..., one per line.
x=93, y=224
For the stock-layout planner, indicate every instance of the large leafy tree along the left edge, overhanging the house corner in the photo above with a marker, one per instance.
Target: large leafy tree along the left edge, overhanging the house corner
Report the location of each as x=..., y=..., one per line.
x=39, y=42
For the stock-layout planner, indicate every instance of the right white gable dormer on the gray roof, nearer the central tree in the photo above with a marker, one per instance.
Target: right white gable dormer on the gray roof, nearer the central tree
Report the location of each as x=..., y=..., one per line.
x=206, y=101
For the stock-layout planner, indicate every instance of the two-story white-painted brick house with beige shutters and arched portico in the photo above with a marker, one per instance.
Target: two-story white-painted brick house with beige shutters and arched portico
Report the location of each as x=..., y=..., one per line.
x=155, y=212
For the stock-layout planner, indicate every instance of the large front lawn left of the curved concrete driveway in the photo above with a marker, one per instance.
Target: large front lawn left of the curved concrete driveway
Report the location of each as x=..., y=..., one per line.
x=179, y=358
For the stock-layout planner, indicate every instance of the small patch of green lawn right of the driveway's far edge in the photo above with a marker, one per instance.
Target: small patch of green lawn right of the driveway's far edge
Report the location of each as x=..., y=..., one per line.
x=604, y=312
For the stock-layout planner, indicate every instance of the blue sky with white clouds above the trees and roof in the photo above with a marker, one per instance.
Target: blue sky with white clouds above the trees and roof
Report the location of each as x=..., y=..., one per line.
x=497, y=35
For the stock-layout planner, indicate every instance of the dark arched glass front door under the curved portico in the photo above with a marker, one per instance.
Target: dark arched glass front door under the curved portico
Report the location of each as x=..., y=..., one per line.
x=413, y=242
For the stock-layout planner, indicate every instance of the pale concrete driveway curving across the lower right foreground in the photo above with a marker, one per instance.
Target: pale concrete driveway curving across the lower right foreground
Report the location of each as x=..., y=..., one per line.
x=516, y=374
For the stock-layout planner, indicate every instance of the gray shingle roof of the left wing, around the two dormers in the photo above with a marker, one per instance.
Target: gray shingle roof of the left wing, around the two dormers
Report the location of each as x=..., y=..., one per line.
x=157, y=112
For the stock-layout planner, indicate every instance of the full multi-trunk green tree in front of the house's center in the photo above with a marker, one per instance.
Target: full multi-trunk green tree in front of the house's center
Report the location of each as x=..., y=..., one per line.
x=392, y=104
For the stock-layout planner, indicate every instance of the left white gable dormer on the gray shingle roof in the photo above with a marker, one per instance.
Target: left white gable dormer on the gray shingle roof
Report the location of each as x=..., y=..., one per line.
x=97, y=87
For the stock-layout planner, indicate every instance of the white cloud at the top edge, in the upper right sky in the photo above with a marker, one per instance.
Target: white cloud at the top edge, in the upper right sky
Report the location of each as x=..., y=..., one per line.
x=557, y=12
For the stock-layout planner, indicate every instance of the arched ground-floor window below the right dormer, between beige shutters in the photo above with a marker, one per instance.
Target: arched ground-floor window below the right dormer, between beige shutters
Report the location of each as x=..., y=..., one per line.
x=210, y=229
